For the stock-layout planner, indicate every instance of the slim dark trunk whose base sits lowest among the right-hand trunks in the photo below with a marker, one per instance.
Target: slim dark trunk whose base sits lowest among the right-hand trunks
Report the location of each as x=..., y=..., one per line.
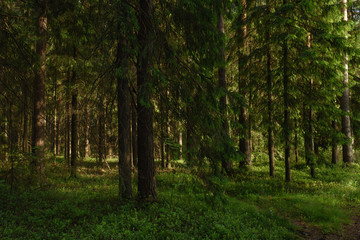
x=286, y=126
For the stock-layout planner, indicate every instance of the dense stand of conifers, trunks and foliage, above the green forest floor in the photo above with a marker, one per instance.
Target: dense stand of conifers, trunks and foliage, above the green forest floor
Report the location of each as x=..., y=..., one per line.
x=209, y=88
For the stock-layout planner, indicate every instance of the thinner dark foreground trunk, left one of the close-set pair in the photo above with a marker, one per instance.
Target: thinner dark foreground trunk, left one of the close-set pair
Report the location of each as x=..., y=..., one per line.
x=124, y=137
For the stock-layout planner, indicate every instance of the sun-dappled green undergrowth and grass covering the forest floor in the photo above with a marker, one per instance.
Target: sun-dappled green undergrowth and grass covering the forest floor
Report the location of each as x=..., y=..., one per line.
x=248, y=206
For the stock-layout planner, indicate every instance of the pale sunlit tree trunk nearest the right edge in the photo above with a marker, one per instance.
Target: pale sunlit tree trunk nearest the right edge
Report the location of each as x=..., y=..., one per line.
x=345, y=105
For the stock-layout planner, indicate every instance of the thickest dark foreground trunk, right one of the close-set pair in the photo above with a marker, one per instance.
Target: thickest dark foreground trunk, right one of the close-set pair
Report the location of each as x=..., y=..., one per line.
x=146, y=165
